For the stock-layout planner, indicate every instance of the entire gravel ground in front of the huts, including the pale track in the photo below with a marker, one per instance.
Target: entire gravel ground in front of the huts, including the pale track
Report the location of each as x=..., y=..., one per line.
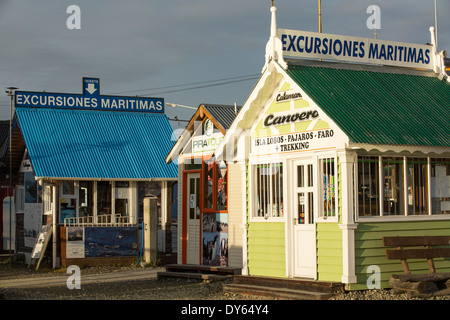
x=134, y=283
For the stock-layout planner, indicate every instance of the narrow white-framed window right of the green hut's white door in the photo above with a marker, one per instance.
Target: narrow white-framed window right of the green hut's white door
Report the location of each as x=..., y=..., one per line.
x=327, y=201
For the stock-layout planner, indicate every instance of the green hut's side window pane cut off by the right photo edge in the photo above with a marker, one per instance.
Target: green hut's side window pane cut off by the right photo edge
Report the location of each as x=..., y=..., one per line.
x=440, y=186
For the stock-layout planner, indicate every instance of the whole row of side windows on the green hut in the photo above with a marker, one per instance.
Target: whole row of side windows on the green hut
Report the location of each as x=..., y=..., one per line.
x=409, y=186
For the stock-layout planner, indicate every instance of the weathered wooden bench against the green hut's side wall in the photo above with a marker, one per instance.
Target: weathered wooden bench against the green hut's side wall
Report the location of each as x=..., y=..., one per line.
x=419, y=247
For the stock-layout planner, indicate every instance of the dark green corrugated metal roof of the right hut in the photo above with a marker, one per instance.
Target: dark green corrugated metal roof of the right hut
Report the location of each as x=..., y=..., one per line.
x=380, y=107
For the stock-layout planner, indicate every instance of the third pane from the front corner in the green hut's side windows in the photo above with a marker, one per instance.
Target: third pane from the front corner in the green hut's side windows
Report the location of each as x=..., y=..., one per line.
x=417, y=186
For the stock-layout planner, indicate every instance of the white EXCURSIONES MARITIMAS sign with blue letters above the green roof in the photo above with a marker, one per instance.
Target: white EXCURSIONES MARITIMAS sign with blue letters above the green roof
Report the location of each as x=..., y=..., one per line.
x=303, y=44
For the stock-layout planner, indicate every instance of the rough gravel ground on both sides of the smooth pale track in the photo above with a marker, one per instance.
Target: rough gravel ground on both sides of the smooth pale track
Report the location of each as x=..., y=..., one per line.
x=167, y=289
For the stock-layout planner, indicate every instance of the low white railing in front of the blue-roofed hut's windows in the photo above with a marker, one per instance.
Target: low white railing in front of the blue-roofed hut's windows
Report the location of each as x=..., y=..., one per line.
x=106, y=220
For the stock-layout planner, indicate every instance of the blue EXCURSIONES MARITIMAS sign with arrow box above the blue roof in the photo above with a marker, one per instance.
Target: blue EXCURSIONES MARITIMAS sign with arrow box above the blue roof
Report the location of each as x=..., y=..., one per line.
x=89, y=100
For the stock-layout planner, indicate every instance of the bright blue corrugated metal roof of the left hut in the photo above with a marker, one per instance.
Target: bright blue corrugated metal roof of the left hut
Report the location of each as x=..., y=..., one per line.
x=97, y=144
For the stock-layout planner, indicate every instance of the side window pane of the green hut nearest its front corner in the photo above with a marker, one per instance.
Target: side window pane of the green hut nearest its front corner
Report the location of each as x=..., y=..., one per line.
x=368, y=185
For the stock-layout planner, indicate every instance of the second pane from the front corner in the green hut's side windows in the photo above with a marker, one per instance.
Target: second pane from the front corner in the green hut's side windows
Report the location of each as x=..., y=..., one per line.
x=393, y=186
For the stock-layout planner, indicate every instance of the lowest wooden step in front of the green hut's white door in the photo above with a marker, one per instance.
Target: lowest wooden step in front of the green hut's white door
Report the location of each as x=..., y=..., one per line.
x=283, y=293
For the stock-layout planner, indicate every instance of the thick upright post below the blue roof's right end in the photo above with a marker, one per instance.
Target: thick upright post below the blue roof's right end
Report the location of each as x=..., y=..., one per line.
x=150, y=229
